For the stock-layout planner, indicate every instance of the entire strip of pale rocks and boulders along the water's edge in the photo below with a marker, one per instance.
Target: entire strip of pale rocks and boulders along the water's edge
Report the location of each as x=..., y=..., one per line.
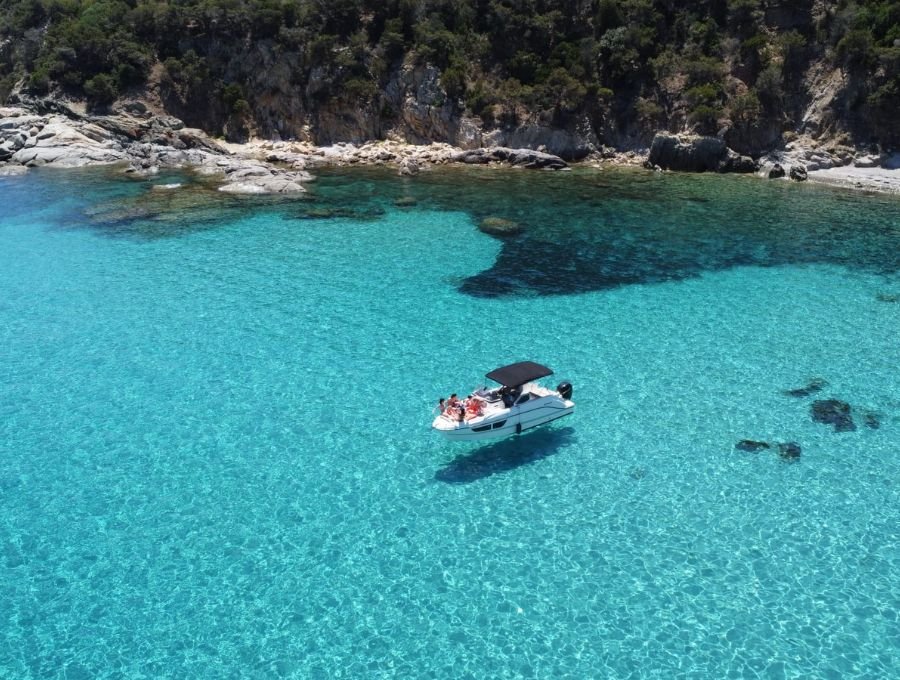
x=53, y=134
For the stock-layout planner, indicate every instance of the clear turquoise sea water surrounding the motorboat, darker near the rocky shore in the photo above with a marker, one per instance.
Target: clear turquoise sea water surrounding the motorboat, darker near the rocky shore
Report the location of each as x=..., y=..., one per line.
x=214, y=448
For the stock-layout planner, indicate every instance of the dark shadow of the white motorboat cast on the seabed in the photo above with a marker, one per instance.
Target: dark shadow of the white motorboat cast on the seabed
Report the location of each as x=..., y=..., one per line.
x=505, y=455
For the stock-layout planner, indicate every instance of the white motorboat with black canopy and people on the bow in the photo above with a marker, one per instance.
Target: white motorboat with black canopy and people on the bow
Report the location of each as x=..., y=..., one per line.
x=519, y=404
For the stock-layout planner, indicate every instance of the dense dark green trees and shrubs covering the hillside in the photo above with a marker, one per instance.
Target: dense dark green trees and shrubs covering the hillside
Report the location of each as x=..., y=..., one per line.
x=628, y=66
